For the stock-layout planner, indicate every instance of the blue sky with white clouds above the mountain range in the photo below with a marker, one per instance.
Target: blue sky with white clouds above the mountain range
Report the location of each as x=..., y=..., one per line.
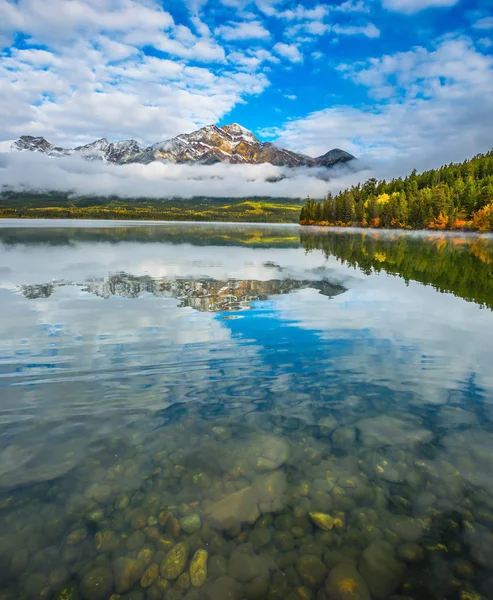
x=398, y=83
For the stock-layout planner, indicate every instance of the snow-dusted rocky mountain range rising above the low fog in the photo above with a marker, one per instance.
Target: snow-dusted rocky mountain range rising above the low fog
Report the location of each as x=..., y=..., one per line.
x=229, y=143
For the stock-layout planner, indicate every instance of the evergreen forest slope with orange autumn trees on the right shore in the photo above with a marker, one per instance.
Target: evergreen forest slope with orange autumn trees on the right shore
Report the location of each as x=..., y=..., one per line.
x=458, y=196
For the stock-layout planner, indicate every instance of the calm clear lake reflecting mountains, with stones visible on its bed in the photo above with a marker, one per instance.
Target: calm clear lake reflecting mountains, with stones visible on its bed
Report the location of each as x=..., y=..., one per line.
x=227, y=412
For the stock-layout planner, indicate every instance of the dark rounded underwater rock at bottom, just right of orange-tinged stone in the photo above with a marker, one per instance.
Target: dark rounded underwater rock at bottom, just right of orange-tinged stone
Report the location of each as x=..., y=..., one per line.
x=381, y=571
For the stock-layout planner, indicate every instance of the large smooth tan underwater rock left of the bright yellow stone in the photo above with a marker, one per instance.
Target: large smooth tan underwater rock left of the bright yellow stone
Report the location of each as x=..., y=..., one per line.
x=231, y=512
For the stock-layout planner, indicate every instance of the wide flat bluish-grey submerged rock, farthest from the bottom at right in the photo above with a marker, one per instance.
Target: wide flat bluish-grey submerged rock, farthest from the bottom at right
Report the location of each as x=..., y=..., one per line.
x=385, y=430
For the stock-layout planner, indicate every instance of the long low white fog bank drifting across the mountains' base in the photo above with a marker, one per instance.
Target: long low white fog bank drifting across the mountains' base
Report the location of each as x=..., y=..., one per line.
x=27, y=171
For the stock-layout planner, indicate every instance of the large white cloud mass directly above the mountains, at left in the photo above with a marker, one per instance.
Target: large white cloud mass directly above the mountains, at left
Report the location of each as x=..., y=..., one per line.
x=78, y=95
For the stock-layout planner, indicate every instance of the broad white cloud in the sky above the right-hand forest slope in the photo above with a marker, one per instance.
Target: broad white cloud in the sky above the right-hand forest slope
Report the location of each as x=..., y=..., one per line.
x=439, y=110
